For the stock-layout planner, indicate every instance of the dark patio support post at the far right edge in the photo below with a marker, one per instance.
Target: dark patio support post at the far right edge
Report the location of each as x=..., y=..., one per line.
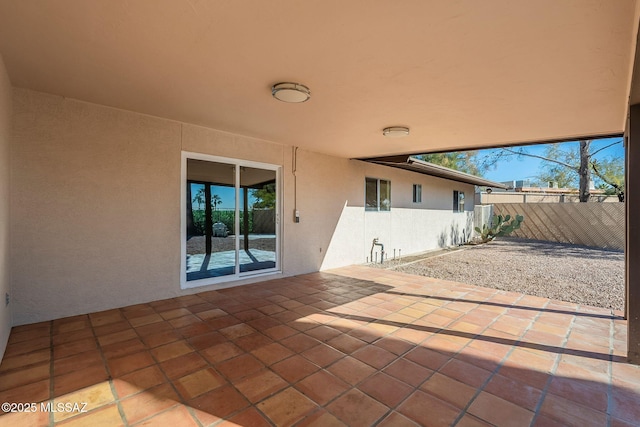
x=632, y=253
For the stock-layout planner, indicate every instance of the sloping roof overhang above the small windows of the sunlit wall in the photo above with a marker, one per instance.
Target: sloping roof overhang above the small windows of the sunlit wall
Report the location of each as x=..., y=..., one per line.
x=419, y=166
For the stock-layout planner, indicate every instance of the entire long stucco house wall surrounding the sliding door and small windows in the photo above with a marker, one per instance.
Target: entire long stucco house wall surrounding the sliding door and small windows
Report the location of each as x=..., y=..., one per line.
x=96, y=213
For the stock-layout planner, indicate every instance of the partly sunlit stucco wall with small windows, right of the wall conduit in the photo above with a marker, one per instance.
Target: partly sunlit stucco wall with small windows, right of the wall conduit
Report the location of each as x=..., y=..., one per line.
x=335, y=230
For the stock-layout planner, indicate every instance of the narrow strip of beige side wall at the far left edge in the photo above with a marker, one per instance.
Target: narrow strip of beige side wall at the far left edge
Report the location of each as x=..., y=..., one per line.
x=5, y=133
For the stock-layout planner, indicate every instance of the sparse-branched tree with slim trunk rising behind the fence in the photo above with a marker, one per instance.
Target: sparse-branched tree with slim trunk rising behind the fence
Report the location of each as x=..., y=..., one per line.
x=566, y=167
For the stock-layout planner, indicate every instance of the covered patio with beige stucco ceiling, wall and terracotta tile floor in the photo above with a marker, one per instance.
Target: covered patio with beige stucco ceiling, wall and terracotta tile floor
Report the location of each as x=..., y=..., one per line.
x=102, y=106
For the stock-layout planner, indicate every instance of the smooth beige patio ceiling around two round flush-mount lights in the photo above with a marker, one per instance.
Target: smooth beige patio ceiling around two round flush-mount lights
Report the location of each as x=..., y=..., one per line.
x=460, y=74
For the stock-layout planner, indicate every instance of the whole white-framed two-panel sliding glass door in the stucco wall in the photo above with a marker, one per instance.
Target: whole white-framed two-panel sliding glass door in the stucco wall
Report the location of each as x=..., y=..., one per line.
x=230, y=219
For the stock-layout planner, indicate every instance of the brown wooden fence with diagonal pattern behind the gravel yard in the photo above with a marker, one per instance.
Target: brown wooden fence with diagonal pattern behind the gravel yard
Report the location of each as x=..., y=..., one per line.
x=598, y=225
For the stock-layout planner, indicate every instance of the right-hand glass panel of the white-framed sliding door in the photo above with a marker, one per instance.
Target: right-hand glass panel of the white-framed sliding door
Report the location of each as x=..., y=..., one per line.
x=257, y=219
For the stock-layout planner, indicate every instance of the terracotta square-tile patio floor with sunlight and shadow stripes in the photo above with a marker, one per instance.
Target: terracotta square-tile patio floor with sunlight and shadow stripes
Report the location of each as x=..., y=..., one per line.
x=353, y=346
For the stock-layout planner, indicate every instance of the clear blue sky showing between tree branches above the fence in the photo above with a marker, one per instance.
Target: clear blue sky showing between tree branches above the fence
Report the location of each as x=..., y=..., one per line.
x=514, y=168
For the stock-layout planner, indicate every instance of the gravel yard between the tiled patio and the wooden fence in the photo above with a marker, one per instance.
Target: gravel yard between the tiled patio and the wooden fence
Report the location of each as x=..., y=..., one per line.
x=559, y=271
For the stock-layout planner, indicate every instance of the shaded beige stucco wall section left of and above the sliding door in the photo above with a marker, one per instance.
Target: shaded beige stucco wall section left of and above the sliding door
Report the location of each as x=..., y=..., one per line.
x=97, y=203
